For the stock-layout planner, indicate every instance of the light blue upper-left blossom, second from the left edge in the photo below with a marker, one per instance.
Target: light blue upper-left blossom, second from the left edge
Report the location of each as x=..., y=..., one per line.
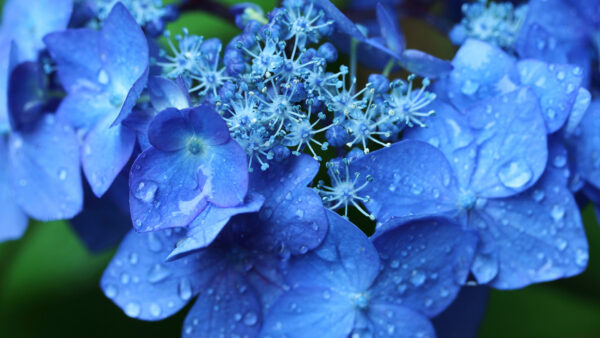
x=103, y=73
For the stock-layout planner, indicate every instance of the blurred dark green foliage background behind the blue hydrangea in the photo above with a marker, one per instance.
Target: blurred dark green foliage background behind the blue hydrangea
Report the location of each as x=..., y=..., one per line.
x=49, y=281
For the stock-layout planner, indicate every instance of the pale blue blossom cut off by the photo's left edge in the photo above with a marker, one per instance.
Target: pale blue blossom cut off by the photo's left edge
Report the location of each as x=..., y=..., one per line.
x=39, y=170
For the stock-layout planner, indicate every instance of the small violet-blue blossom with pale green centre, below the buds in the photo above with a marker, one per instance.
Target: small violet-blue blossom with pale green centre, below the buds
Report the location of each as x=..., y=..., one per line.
x=192, y=163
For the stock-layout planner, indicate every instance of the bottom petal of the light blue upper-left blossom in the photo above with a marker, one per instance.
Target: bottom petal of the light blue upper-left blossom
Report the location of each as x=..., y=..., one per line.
x=105, y=151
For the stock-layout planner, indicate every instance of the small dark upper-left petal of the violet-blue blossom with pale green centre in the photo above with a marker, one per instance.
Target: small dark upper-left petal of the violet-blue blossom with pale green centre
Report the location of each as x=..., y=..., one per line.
x=169, y=130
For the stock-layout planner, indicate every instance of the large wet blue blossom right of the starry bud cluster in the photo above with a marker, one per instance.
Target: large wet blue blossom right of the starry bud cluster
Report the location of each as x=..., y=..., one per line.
x=485, y=174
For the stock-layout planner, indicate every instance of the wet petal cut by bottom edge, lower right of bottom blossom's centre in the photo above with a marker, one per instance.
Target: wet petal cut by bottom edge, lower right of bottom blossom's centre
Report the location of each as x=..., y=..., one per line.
x=391, y=320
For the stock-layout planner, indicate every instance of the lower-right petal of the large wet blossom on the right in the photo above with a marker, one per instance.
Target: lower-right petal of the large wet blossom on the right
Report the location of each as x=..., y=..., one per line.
x=532, y=237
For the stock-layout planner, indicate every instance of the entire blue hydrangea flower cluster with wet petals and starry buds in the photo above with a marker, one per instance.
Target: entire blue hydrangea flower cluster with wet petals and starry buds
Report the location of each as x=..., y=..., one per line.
x=242, y=166
